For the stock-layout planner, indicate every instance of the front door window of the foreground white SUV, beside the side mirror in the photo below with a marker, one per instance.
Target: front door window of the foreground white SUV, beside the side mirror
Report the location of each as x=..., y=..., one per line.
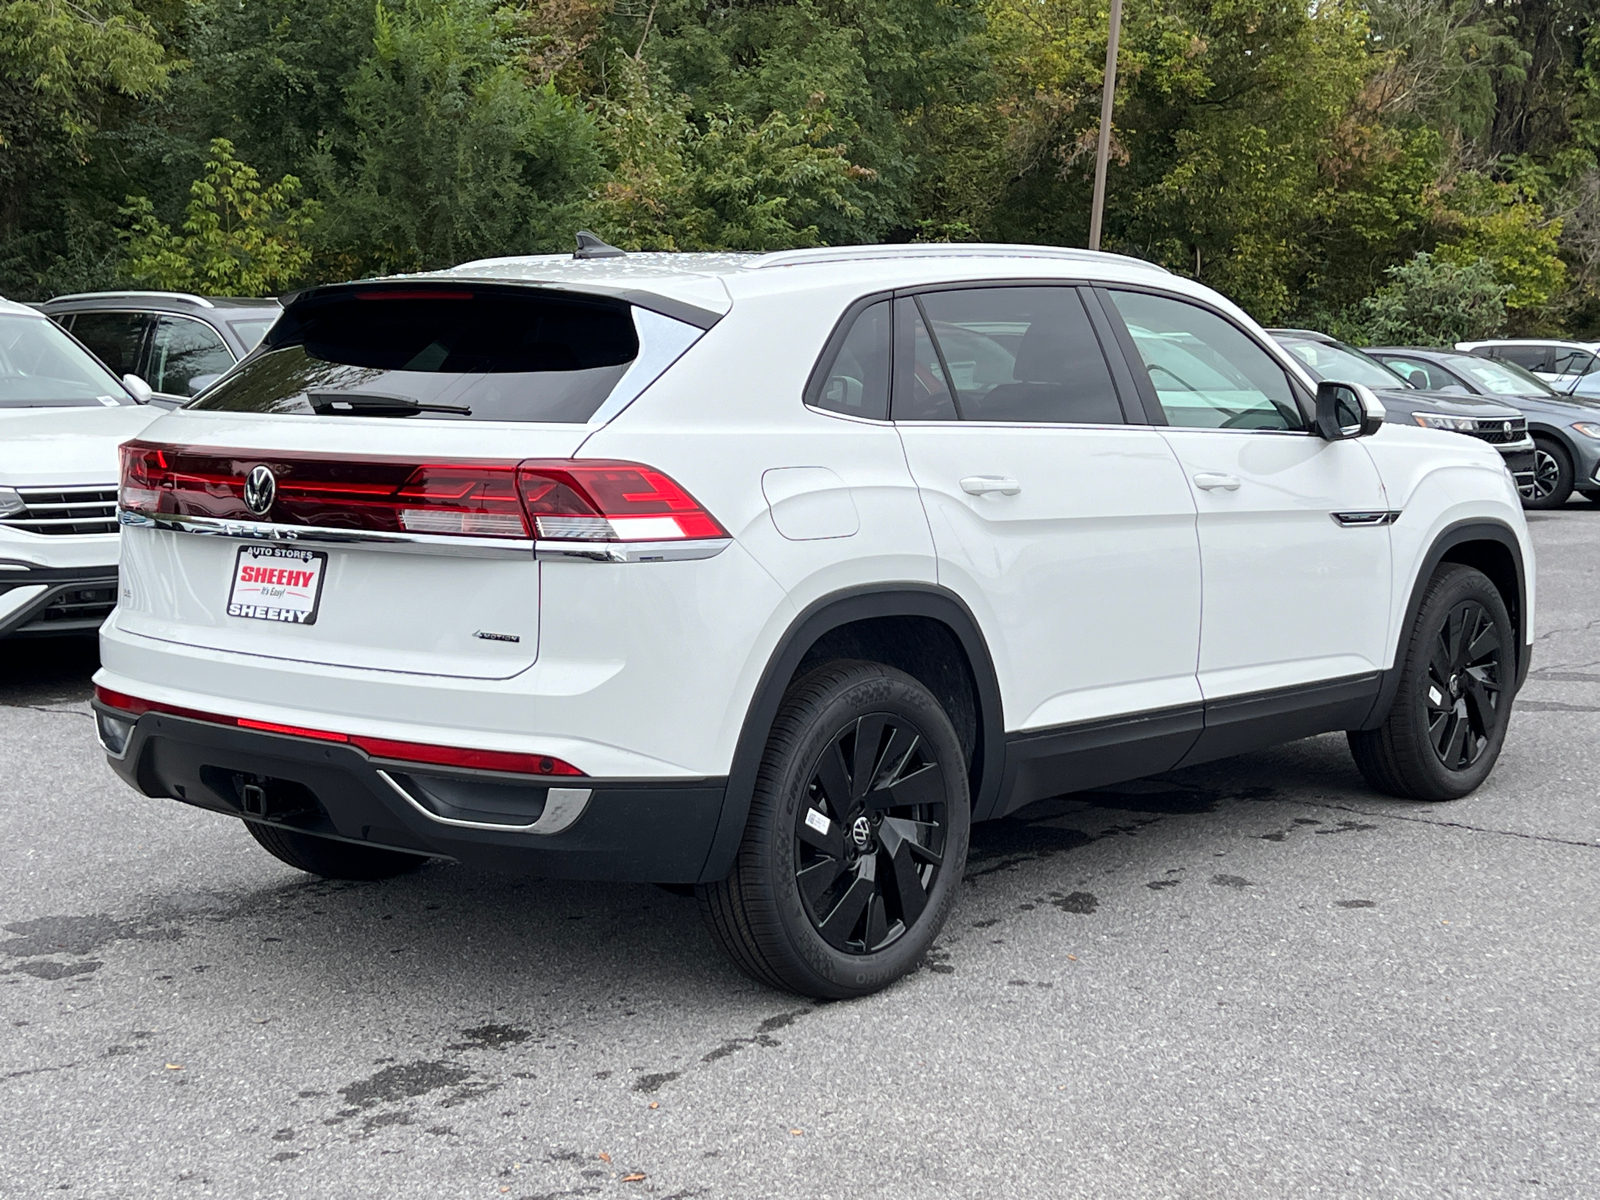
x=1207, y=374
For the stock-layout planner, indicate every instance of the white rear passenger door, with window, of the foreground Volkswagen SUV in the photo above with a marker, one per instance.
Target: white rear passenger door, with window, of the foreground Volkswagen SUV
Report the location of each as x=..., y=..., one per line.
x=1068, y=529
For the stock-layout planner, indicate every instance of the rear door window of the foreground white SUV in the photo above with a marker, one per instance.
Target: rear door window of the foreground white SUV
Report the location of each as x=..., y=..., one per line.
x=1020, y=354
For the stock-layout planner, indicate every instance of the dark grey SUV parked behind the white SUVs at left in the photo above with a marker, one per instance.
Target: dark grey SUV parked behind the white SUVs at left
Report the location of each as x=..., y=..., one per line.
x=177, y=343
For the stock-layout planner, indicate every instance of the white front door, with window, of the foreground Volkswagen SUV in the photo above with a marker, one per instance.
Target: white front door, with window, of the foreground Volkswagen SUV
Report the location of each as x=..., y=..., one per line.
x=1297, y=583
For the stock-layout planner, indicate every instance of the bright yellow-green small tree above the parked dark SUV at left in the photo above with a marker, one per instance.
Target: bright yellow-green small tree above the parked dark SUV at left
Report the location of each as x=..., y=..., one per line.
x=239, y=239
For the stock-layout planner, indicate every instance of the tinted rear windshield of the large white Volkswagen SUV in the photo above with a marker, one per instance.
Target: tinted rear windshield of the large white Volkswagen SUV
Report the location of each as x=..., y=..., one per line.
x=466, y=356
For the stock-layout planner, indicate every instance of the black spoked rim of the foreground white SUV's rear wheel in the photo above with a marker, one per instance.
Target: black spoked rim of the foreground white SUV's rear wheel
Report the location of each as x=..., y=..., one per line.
x=871, y=841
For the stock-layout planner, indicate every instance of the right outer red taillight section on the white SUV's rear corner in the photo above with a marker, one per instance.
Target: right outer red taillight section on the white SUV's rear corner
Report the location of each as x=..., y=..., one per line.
x=610, y=503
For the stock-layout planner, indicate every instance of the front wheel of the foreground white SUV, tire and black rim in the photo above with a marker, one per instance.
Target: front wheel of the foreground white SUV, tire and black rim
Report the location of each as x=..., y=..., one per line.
x=1463, y=652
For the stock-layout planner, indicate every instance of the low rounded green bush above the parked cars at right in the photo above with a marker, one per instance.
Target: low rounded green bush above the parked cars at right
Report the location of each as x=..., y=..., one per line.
x=1431, y=302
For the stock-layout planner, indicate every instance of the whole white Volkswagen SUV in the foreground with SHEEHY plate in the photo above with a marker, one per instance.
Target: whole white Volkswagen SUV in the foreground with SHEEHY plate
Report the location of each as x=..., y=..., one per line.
x=774, y=574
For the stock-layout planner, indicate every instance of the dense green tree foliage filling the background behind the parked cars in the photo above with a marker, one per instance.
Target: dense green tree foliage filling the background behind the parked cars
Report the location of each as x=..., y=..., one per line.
x=1326, y=162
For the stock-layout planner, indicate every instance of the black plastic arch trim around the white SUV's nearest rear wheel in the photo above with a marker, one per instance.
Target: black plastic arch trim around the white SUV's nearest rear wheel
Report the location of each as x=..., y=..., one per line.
x=814, y=623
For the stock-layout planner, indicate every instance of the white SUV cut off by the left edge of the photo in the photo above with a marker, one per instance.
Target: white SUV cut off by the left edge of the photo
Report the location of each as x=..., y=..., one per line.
x=62, y=418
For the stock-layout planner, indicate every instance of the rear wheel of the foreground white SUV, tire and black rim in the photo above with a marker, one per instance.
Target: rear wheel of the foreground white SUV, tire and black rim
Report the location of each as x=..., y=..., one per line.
x=852, y=857
